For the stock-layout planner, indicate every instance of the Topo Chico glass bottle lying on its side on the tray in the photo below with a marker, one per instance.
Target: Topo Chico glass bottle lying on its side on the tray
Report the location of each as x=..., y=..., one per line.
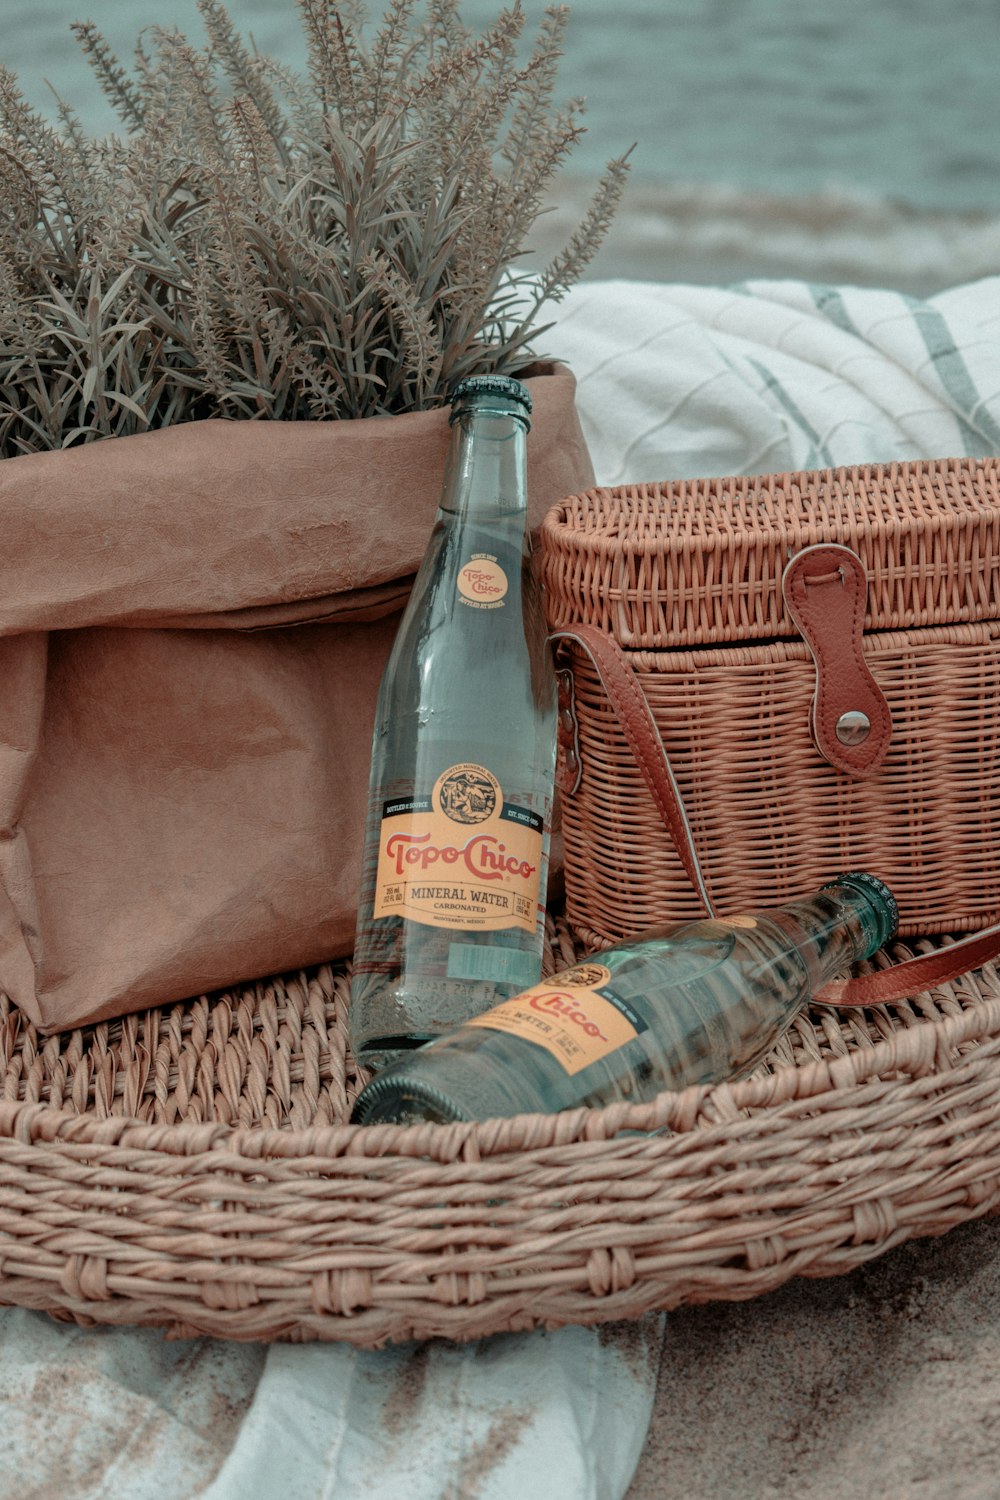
x=692, y=1004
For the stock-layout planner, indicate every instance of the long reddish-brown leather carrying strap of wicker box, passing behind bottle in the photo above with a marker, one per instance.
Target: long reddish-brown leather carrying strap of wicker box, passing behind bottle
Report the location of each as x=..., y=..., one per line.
x=629, y=701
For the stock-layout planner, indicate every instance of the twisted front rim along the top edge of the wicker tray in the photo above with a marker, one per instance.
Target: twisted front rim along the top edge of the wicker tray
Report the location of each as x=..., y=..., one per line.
x=915, y=1052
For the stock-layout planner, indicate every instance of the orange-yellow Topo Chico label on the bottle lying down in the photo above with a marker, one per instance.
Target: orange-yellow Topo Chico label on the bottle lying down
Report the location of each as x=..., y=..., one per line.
x=573, y=1016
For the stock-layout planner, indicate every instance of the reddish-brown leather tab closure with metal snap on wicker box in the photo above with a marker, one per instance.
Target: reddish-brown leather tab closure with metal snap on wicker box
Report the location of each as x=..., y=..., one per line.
x=825, y=592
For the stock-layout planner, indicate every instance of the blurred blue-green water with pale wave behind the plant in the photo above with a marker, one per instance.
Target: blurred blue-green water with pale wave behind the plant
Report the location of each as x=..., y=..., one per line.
x=849, y=142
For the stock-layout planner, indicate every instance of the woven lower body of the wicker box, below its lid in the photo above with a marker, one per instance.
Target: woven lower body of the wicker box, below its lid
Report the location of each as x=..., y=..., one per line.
x=773, y=818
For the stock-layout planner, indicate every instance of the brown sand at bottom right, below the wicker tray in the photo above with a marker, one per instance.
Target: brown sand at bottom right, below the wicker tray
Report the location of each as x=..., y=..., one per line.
x=878, y=1385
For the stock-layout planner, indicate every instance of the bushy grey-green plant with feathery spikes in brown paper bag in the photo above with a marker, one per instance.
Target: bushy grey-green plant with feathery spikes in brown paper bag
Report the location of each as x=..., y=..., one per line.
x=259, y=244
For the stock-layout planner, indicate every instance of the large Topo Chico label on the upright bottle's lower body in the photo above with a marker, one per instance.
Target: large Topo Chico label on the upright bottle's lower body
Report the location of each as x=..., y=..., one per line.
x=461, y=859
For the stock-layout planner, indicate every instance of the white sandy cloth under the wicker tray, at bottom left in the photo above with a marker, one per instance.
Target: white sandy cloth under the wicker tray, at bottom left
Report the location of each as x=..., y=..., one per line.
x=127, y=1415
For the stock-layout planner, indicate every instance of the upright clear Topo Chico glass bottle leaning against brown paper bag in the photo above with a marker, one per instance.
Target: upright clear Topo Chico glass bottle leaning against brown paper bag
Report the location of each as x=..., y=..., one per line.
x=452, y=910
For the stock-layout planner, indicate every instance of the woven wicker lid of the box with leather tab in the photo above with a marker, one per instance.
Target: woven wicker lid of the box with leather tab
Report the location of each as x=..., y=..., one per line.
x=701, y=562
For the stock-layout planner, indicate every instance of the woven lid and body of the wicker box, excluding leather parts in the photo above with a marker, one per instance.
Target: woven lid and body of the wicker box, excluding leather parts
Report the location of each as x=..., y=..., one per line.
x=770, y=817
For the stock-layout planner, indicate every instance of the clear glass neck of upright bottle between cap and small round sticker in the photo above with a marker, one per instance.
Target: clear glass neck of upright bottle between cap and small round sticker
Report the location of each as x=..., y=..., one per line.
x=487, y=470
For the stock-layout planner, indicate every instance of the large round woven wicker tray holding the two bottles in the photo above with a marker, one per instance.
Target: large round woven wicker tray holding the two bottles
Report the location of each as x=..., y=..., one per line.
x=191, y=1168
